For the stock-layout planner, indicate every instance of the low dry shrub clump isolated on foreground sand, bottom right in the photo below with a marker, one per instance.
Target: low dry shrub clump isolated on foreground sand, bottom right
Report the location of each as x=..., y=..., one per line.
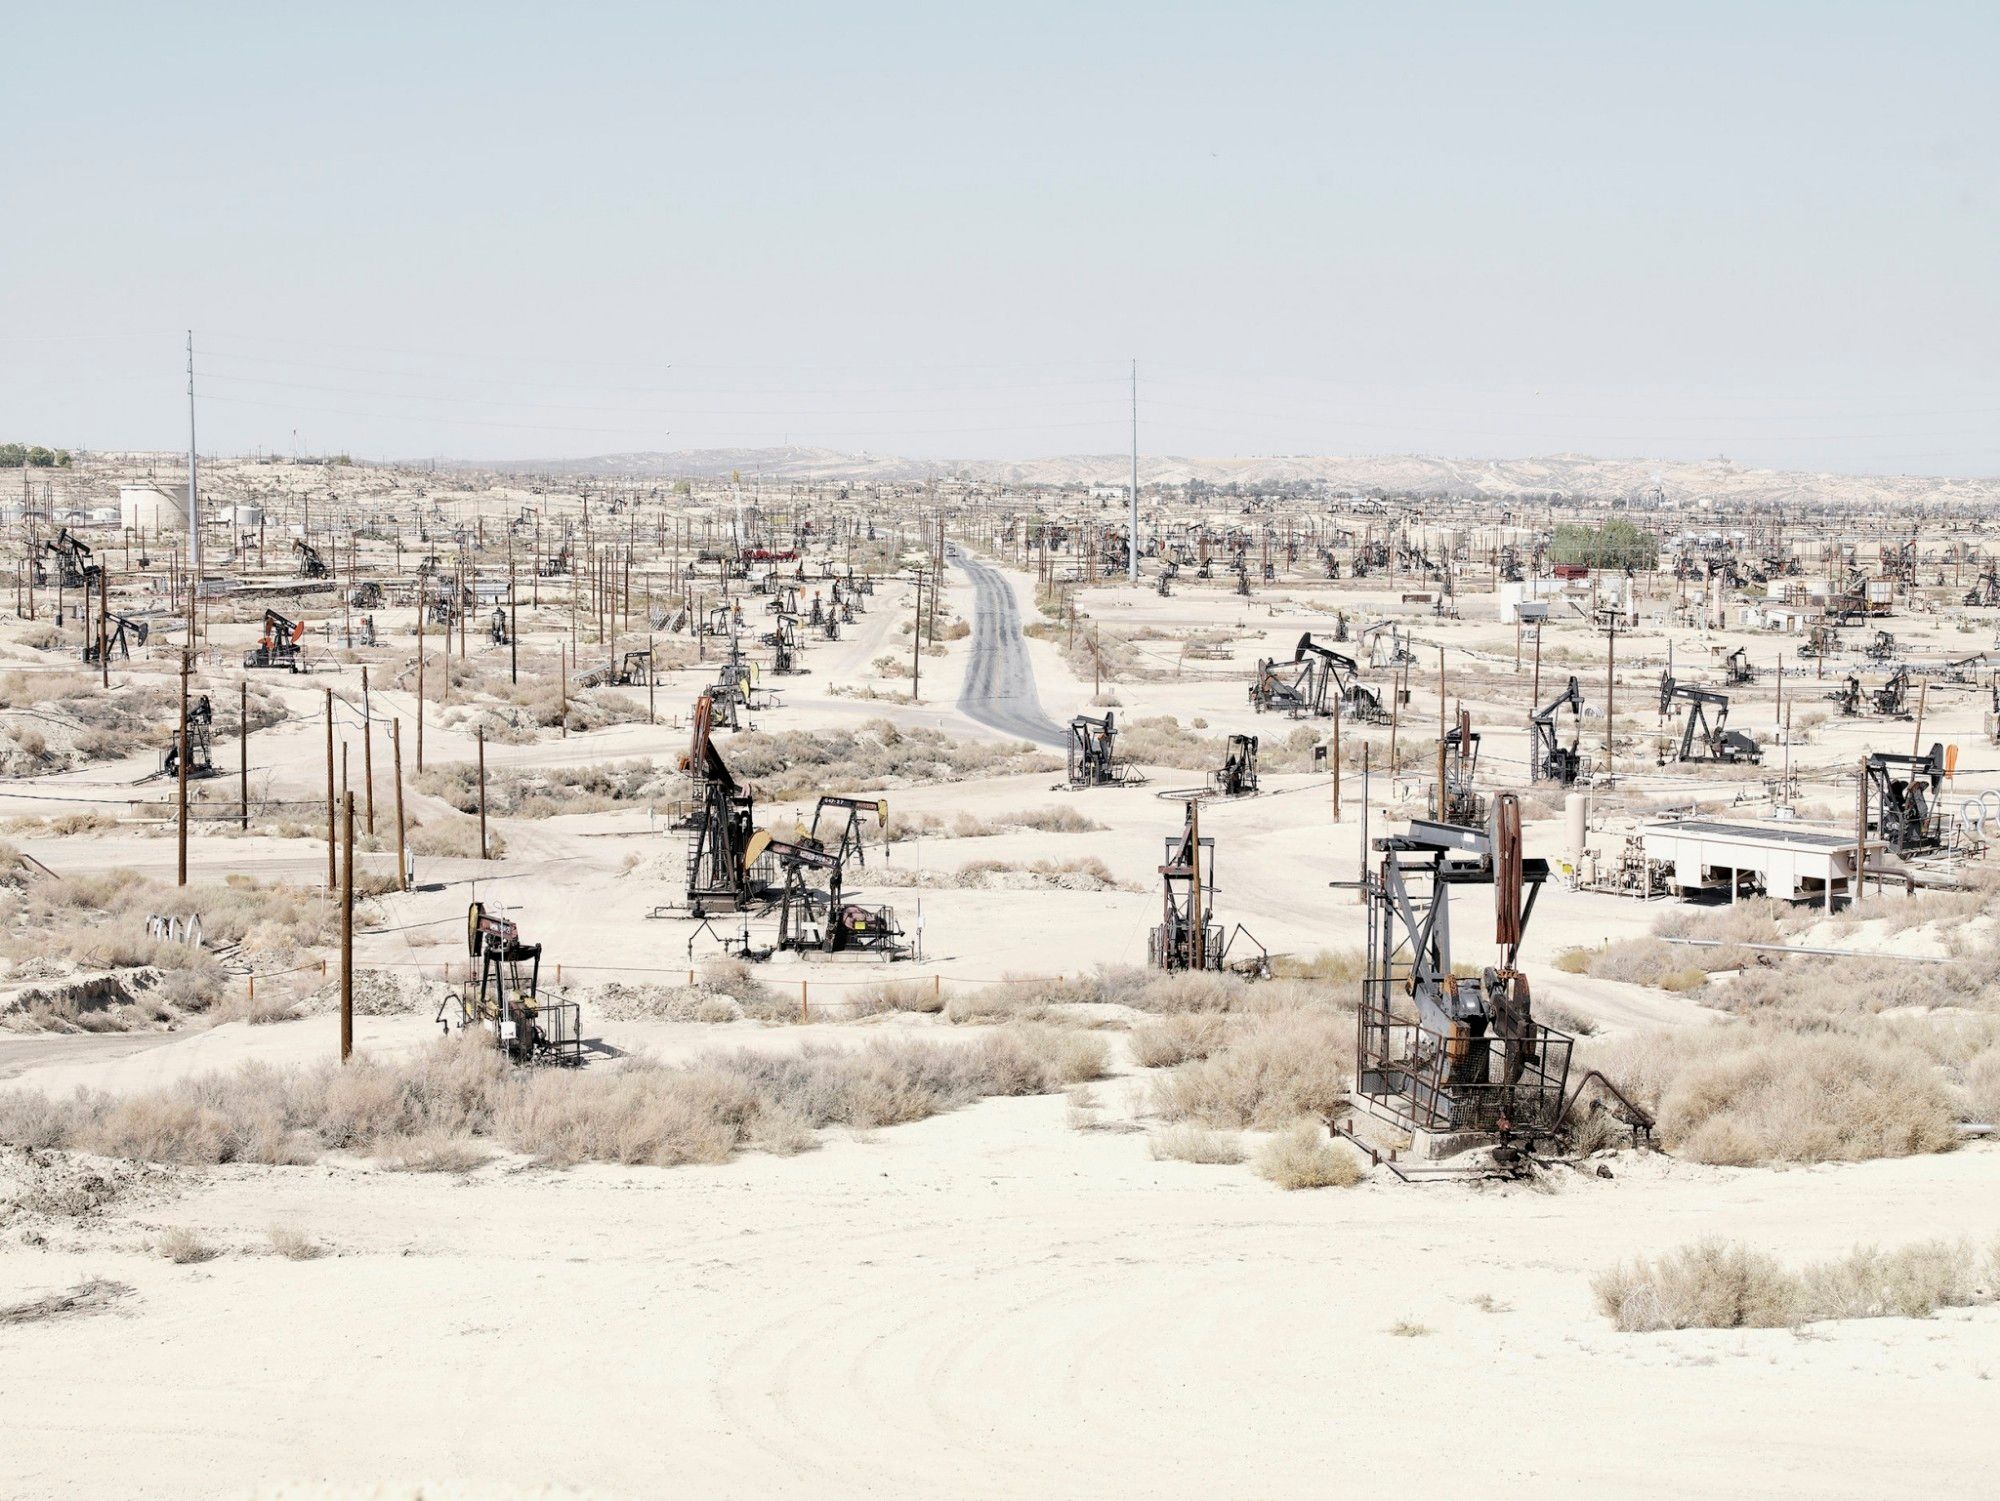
x=1727, y=1286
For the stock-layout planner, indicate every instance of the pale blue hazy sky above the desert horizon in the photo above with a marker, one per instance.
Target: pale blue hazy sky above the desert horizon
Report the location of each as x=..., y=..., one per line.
x=1765, y=231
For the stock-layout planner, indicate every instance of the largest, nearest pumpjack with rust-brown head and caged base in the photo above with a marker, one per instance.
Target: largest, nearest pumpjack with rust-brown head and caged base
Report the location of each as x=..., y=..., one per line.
x=1439, y=1054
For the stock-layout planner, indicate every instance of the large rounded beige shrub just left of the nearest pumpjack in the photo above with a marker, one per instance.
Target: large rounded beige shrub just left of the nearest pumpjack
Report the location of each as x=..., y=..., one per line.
x=1273, y=1070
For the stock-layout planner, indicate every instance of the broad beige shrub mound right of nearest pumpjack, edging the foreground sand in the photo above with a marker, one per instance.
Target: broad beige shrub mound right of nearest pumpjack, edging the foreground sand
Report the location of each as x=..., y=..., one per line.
x=1745, y=1094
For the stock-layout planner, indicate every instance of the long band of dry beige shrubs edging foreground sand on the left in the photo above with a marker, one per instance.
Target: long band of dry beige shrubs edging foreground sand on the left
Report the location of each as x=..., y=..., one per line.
x=435, y=1110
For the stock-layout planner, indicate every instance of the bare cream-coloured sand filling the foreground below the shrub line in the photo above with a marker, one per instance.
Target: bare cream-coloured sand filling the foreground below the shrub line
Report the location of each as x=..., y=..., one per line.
x=993, y=1304
